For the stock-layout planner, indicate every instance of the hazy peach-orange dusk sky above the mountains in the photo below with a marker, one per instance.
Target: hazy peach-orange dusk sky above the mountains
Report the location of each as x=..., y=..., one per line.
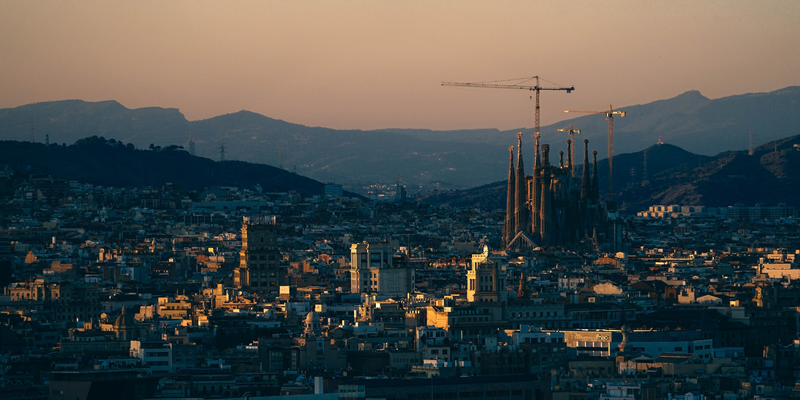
x=379, y=64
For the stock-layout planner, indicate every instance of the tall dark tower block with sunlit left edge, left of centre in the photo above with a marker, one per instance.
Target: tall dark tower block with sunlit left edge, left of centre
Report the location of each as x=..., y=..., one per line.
x=259, y=260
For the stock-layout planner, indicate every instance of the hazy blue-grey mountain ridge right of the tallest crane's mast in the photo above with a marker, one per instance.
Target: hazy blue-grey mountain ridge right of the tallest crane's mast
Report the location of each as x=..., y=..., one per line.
x=694, y=122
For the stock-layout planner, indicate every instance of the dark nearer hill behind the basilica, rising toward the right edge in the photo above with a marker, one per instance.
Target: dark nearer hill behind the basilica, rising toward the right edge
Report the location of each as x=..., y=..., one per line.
x=674, y=176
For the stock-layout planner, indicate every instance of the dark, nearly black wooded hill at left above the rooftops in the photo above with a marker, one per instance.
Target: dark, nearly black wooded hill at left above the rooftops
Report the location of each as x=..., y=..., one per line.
x=110, y=163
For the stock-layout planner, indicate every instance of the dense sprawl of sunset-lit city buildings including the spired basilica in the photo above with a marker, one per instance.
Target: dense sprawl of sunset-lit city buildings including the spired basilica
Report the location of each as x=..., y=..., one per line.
x=234, y=292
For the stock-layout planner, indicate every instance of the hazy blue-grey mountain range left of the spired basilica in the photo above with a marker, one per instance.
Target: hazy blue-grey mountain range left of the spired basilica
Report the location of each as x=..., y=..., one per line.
x=349, y=157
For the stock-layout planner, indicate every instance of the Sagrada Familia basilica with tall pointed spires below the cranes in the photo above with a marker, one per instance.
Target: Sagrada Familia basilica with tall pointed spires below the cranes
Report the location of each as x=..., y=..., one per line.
x=554, y=208
